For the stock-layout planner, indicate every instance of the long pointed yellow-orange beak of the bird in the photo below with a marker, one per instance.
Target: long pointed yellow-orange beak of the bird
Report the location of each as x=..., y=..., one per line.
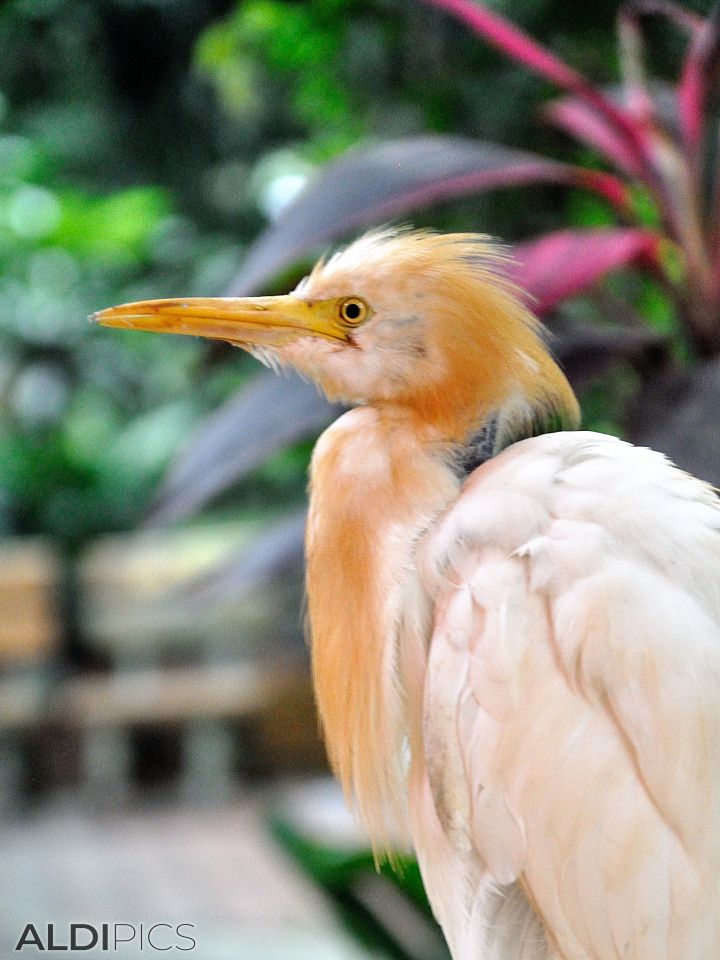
x=264, y=321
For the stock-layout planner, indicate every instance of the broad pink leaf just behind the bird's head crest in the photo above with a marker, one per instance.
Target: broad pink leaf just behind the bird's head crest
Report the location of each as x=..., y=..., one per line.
x=560, y=265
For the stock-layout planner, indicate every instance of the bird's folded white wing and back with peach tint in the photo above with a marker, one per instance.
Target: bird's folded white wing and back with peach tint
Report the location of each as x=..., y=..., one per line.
x=571, y=725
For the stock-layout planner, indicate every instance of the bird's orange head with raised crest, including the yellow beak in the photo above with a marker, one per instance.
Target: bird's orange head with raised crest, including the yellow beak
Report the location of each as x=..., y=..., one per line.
x=410, y=319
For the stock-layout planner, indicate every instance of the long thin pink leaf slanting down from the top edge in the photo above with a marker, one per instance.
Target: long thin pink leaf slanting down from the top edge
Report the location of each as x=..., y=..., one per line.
x=518, y=45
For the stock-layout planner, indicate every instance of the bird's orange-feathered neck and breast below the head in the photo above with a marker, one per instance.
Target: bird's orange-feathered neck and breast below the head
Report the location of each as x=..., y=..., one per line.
x=376, y=487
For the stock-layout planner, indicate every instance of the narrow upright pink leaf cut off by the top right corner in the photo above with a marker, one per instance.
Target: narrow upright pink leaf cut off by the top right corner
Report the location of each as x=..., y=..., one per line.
x=700, y=71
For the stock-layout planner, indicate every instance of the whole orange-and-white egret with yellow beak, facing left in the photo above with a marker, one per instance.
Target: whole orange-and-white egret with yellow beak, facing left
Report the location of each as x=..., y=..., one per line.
x=514, y=623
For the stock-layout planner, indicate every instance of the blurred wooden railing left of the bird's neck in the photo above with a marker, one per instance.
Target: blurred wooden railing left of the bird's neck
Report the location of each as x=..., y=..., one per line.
x=225, y=677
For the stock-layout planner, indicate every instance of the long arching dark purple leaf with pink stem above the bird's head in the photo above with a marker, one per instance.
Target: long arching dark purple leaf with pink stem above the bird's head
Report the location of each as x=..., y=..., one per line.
x=372, y=184
